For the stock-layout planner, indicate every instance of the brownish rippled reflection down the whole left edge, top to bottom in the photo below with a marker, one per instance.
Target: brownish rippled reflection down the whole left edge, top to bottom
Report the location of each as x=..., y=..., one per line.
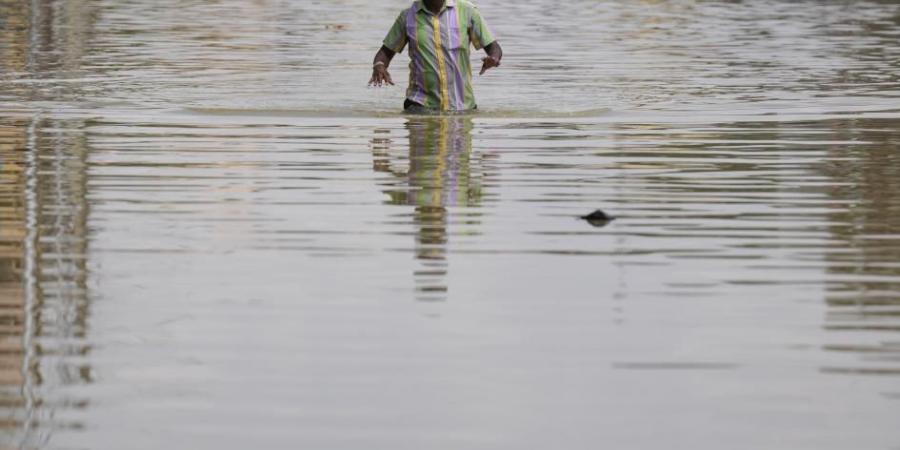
x=43, y=225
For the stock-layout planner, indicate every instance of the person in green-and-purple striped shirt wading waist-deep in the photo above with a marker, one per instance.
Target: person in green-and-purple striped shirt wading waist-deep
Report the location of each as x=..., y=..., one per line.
x=438, y=33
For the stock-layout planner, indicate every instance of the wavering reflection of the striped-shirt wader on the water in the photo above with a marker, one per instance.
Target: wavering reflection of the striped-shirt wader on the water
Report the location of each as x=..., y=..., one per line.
x=437, y=175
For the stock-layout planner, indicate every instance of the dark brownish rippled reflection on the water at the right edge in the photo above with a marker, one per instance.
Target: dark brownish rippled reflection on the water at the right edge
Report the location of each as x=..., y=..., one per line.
x=864, y=286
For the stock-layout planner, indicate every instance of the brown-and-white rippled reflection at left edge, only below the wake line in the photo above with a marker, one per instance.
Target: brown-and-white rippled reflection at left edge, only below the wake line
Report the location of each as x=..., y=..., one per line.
x=43, y=277
